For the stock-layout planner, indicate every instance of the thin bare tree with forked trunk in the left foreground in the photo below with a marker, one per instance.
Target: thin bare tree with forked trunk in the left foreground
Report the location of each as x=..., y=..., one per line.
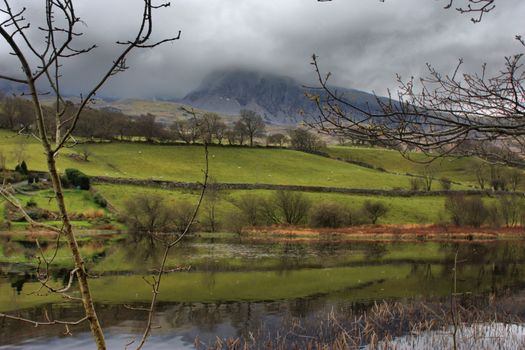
x=41, y=59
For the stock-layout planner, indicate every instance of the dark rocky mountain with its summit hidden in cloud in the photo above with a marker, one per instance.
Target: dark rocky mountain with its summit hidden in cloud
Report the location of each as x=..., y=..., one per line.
x=278, y=99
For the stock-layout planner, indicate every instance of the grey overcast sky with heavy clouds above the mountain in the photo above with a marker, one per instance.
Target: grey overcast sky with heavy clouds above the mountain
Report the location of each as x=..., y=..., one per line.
x=364, y=43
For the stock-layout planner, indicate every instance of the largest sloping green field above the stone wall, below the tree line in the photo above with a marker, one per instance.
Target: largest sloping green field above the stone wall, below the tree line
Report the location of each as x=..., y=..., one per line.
x=227, y=164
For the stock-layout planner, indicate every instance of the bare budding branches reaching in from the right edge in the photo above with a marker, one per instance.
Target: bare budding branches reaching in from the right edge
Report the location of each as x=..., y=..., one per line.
x=437, y=114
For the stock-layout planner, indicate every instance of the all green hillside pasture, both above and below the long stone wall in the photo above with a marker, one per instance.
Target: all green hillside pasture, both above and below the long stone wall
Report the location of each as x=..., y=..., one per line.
x=243, y=165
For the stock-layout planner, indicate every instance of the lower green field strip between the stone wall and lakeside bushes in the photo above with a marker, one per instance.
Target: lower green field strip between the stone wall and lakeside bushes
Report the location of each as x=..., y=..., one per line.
x=402, y=210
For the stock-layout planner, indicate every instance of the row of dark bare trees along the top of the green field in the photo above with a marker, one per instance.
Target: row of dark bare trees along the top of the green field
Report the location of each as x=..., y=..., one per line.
x=17, y=114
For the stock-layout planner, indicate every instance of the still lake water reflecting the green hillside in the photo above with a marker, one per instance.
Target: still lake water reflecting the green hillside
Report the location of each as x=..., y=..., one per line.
x=241, y=287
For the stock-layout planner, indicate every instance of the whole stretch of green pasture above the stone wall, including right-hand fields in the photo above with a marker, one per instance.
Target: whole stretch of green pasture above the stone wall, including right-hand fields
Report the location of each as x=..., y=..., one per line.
x=244, y=164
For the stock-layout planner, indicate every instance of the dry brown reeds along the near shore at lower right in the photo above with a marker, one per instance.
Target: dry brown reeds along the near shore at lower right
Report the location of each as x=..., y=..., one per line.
x=391, y=326
